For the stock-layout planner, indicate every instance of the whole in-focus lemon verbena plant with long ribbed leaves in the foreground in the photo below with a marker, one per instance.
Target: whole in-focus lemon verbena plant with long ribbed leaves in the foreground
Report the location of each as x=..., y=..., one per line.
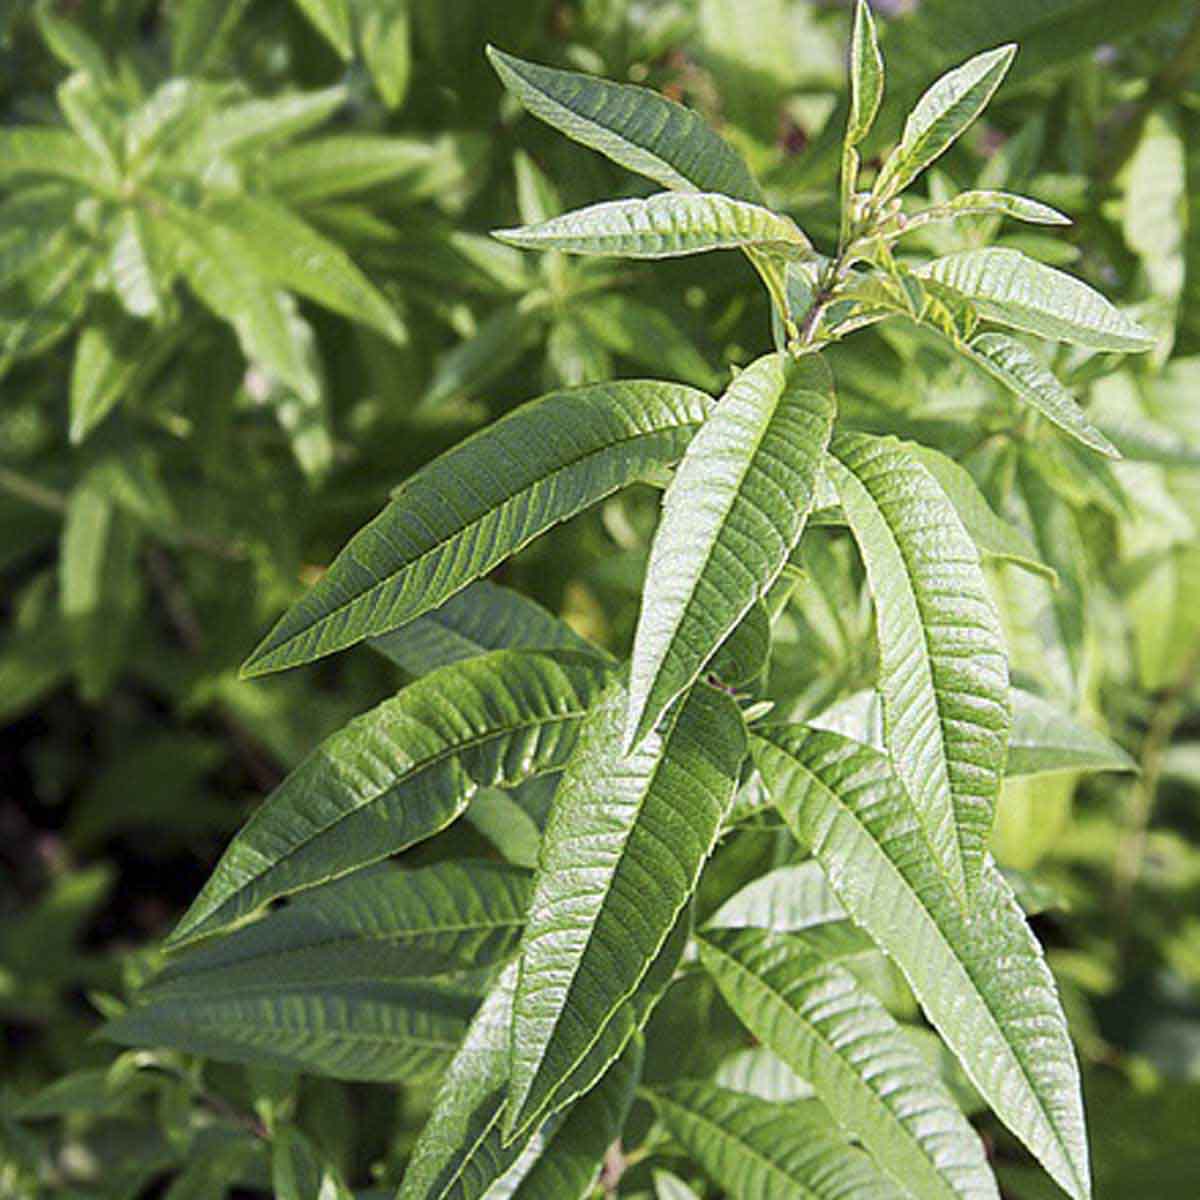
x=527, y=988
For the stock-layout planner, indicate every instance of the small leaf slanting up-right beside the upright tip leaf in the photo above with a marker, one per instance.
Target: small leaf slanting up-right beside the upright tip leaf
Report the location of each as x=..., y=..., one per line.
x=941, y=117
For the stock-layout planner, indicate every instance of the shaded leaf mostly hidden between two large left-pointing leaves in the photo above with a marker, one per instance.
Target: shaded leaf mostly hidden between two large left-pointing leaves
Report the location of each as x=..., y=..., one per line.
x=481, y=619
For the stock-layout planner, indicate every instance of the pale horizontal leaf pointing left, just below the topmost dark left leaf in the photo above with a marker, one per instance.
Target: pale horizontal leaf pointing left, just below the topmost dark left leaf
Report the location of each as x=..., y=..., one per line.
x=665, y=226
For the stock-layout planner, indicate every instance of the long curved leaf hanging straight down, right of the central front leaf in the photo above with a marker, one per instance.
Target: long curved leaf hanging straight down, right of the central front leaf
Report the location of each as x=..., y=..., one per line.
x=944, y=671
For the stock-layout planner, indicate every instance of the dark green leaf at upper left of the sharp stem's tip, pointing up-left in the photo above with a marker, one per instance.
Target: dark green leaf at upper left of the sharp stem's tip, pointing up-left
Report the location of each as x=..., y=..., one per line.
x=637, y=128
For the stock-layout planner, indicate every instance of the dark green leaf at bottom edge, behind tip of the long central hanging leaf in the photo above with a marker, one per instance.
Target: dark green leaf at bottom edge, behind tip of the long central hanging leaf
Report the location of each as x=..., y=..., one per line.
x=571, y=1166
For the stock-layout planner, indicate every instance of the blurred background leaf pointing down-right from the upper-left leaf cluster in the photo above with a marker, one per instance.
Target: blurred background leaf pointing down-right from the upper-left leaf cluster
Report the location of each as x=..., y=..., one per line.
x=292, y=255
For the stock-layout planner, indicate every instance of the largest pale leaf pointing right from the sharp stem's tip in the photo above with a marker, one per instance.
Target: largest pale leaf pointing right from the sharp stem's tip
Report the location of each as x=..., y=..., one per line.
x=1017, y=291
